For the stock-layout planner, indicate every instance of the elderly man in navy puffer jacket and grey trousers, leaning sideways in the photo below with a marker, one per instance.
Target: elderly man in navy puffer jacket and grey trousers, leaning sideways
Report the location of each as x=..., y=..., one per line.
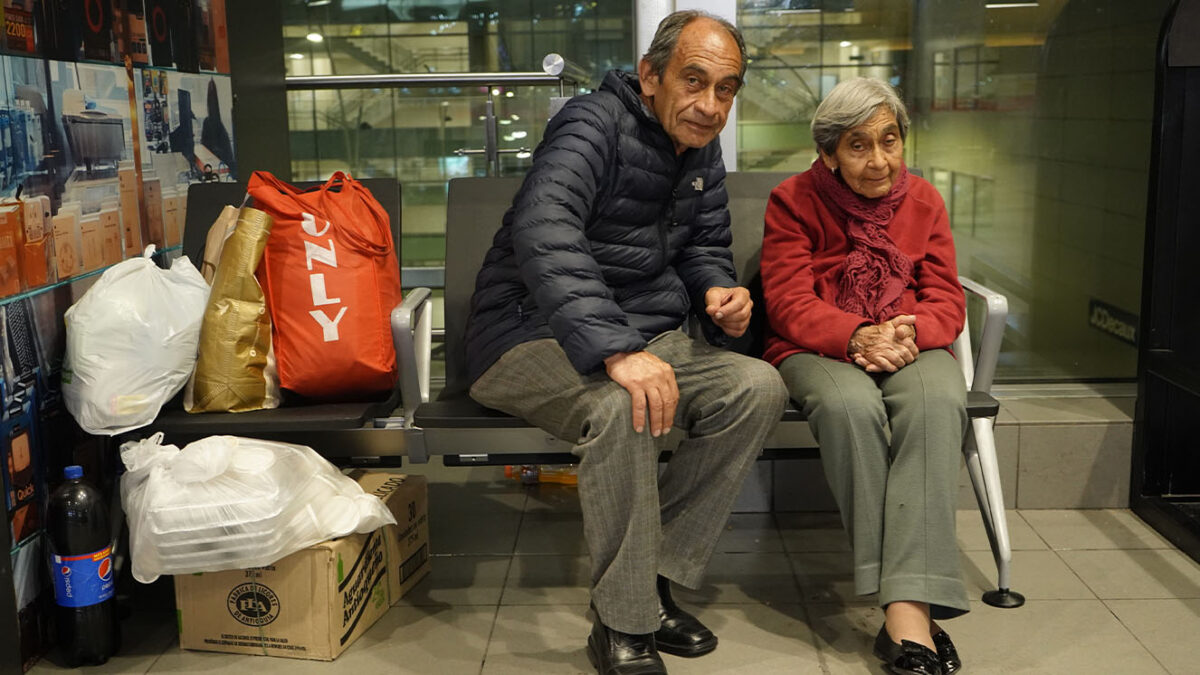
x=620, y=230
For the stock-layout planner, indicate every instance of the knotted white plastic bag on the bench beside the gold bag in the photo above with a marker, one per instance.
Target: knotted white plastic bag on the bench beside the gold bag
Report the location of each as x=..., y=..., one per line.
x=131, y=343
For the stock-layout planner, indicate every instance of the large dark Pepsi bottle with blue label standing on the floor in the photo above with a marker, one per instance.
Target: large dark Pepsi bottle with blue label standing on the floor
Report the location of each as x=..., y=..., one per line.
x=82, y=569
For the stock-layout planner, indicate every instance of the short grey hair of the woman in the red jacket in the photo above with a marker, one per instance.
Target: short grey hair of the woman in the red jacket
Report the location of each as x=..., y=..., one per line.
x=851, y=104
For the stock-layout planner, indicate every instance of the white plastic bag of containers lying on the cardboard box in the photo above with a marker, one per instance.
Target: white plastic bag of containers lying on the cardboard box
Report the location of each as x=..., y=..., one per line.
x=226, y=503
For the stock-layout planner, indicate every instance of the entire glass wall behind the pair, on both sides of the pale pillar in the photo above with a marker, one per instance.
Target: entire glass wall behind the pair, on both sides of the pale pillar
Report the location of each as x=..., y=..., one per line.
x=1031, y=118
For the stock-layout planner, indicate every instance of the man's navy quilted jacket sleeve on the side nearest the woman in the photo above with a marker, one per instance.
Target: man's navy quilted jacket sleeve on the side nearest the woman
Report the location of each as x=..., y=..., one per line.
x=706, y=261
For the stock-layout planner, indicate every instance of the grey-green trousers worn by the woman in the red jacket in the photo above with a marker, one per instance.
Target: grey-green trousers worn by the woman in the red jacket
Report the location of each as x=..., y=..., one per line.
x=897, y=497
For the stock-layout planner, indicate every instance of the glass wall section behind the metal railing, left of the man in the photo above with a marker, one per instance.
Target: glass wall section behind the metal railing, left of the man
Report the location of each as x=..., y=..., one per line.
x=413, y=134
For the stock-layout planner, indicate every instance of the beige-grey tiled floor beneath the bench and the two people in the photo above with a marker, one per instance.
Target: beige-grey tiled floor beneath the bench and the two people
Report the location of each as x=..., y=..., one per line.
x=508, y=594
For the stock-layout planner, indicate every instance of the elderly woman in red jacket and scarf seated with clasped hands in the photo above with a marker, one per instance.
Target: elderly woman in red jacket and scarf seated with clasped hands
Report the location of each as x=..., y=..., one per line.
x=863, y=301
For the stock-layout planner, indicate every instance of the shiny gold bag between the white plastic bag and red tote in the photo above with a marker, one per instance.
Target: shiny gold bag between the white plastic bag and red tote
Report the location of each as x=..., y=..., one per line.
x=236, y=367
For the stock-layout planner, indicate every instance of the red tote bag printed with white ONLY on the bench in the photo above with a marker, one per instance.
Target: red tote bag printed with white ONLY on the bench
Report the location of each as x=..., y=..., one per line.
x=332, y=280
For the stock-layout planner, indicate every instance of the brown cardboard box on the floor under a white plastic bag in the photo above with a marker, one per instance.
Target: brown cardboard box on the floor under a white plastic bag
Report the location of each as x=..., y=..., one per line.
x=314, y=604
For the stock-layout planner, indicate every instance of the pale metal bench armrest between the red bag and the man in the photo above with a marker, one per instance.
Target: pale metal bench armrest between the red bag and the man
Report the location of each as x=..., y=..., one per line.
x=412, y=330
